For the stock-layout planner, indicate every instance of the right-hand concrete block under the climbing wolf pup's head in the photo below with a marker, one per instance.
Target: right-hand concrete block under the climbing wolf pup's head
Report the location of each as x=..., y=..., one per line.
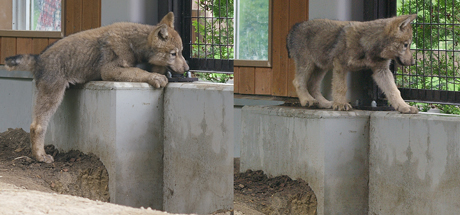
x=198, y=148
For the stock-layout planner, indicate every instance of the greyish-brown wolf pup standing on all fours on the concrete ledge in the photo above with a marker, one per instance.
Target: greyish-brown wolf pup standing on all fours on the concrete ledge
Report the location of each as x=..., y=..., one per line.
x=318, y=46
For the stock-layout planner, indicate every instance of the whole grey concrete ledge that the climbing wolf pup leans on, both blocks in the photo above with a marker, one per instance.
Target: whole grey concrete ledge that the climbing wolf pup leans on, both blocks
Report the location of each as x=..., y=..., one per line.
x=129, y=126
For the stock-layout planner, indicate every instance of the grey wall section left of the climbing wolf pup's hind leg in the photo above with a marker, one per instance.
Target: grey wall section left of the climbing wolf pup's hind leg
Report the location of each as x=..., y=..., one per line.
x=16, y=90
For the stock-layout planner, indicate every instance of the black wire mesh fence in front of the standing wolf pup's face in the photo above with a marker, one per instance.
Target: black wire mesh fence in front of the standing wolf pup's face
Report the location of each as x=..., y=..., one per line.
x=435, y=77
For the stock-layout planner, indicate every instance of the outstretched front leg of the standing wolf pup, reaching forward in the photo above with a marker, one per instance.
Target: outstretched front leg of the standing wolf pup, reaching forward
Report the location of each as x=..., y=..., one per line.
x=384, y=79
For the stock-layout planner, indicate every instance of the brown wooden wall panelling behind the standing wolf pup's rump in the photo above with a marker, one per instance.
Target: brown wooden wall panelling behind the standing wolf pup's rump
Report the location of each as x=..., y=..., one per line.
x=277, y=80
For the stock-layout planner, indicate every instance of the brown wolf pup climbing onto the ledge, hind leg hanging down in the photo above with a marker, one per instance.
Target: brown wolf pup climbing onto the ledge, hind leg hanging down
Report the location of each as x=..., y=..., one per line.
x=109, y=53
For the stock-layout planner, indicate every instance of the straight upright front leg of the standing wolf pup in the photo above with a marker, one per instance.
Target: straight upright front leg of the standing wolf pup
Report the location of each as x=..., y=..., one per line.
x=339, y=88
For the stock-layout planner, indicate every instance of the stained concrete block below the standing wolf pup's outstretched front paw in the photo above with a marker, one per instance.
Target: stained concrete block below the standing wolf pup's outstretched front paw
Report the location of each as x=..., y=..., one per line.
x=414, y=164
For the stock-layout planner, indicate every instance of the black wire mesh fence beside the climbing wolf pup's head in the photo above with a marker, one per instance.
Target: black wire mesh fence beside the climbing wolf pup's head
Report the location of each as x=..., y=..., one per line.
x=209, y=45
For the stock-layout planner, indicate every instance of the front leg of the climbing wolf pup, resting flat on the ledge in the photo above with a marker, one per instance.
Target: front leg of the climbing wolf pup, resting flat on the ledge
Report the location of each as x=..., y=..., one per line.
x=113, y=72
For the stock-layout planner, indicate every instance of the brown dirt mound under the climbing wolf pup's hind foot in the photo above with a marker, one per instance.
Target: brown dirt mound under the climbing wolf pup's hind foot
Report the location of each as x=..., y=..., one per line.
x=72, y=173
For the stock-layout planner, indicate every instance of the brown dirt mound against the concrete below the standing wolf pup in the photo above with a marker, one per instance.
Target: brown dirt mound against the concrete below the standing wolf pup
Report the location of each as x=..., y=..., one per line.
x=278, y=195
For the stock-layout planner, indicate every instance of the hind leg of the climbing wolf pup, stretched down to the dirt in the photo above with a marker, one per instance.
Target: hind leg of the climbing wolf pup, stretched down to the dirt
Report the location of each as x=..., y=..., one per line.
x=47, y=101
